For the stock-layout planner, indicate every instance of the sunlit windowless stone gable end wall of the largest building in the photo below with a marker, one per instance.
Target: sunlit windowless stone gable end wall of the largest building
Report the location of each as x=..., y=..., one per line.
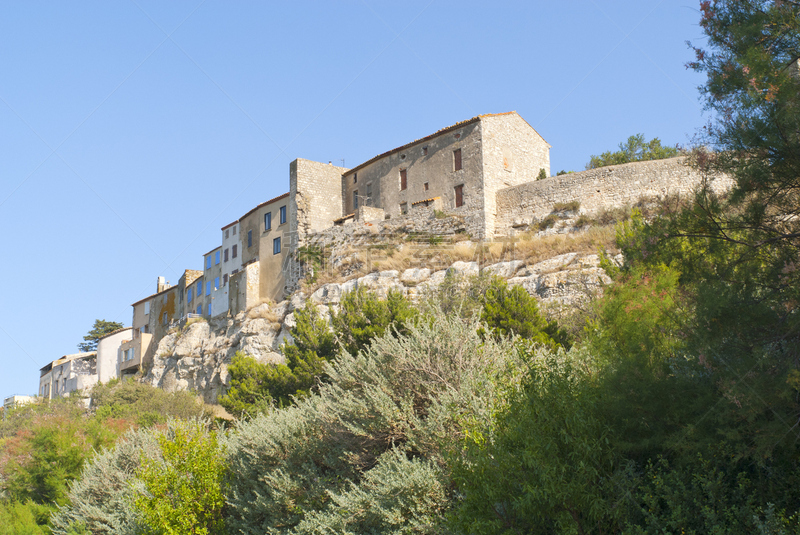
x=513, y=154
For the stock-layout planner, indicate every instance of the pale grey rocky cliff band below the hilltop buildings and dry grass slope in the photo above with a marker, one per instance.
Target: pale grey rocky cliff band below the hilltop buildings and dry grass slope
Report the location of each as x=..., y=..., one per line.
x=197, y=356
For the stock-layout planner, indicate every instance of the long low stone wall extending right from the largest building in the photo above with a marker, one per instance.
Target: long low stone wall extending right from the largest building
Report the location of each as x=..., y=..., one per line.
x=598, y=189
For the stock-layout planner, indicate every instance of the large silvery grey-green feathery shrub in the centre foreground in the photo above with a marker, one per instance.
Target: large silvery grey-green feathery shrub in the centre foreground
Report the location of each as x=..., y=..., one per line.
x=365, y=453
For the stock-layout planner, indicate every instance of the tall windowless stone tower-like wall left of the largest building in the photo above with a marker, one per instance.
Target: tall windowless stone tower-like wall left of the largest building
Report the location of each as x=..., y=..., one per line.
x=315, y=196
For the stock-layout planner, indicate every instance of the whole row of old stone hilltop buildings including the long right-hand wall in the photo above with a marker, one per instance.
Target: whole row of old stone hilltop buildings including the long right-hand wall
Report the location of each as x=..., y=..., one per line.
x=485, y=171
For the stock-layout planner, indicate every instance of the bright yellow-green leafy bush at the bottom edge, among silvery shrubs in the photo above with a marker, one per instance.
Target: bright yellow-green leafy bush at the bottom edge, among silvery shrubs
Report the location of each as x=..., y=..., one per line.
x=182, y=492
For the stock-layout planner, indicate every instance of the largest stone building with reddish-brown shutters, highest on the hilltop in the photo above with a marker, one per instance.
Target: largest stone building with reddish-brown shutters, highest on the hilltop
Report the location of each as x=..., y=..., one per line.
x=464, y=165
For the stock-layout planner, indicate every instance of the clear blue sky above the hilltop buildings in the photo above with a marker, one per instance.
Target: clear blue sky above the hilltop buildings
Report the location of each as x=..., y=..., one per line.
x=133, y=130
